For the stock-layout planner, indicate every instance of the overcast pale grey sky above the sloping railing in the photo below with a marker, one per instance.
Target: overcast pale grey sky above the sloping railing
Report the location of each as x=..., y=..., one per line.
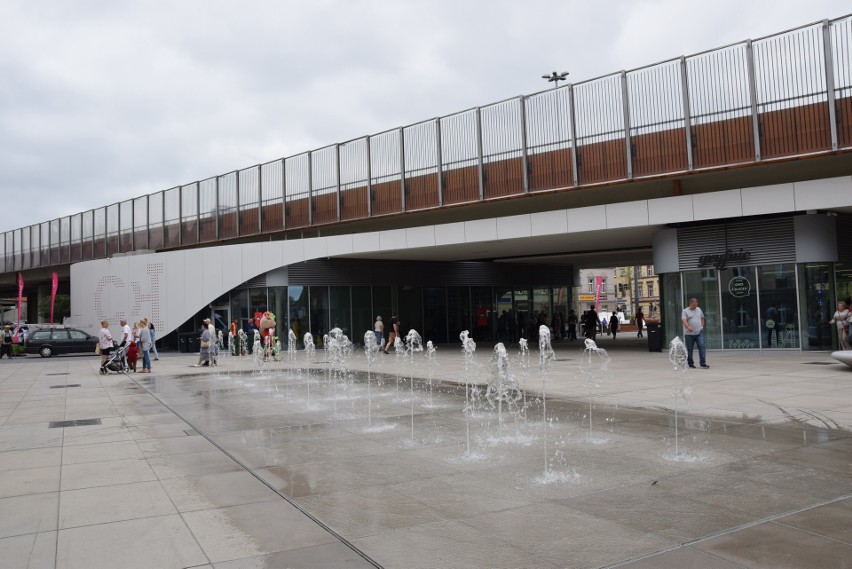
x=105, y=100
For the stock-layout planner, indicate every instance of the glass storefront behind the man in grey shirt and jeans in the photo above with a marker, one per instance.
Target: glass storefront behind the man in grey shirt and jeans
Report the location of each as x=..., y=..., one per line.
x=765, y=307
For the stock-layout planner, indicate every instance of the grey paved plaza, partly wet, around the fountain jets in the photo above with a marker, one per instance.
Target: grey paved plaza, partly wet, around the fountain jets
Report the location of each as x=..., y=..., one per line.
x=312, y=465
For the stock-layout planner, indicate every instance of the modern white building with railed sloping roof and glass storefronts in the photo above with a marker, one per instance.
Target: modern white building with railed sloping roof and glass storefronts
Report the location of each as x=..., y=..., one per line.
x=728, y=171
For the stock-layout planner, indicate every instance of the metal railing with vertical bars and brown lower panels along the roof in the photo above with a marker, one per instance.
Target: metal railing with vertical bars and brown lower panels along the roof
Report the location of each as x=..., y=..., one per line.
x=784, y=95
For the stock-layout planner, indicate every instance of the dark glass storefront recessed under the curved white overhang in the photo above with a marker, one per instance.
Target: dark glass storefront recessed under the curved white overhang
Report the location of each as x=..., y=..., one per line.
x=437, y=313
